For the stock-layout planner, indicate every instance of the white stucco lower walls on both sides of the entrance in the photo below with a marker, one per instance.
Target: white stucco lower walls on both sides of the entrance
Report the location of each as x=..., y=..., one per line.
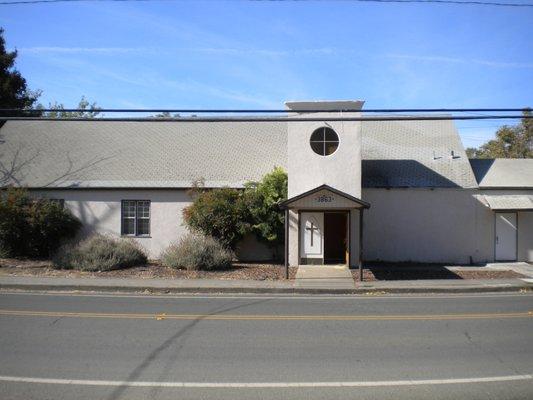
x=423, y=225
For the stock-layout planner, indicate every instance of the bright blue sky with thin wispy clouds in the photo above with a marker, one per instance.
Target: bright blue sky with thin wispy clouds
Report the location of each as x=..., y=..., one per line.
x=237, y=54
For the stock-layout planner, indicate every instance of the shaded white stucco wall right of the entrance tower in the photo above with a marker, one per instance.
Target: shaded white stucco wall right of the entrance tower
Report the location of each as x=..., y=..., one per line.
x=440, y=225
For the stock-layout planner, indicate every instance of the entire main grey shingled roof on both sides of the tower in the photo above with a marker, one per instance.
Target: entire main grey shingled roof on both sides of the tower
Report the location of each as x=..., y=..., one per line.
x=169, y=154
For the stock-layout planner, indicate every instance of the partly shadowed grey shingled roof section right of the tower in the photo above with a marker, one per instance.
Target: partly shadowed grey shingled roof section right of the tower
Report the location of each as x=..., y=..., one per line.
x=414, y=154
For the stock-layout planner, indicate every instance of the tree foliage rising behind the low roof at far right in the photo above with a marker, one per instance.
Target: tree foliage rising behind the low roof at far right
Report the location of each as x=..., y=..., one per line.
x=510, y=142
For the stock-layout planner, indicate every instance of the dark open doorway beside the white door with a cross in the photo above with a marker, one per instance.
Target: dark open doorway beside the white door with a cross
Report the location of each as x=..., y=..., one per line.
x=335, y=237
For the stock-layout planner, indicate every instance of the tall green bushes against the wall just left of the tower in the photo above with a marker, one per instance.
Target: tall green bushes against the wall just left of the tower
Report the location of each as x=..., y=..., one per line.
x=229, y=214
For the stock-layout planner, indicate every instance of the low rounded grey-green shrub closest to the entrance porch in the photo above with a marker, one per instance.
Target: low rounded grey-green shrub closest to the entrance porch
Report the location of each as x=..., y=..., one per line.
x=197, y=252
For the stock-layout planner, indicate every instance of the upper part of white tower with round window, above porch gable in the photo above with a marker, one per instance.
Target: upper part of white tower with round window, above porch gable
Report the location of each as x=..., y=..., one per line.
x=324, y=152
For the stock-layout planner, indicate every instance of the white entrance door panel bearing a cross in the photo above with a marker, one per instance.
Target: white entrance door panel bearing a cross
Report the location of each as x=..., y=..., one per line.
x=312, y=235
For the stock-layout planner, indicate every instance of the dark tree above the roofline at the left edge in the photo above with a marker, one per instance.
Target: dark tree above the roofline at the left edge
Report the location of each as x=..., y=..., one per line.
x=14, y=92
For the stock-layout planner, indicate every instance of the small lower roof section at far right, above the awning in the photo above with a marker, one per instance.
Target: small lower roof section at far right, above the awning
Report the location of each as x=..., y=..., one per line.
x=503, y=173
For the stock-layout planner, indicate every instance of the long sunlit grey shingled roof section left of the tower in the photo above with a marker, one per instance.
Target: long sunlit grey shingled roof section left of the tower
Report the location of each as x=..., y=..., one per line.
x=142, y=154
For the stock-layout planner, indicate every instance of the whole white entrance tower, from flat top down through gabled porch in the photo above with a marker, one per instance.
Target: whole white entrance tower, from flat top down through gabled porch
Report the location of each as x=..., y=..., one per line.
x=324, y=210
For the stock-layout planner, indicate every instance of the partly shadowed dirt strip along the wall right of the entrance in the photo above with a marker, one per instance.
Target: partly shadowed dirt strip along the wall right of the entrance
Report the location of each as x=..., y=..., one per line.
x=405, y=272
